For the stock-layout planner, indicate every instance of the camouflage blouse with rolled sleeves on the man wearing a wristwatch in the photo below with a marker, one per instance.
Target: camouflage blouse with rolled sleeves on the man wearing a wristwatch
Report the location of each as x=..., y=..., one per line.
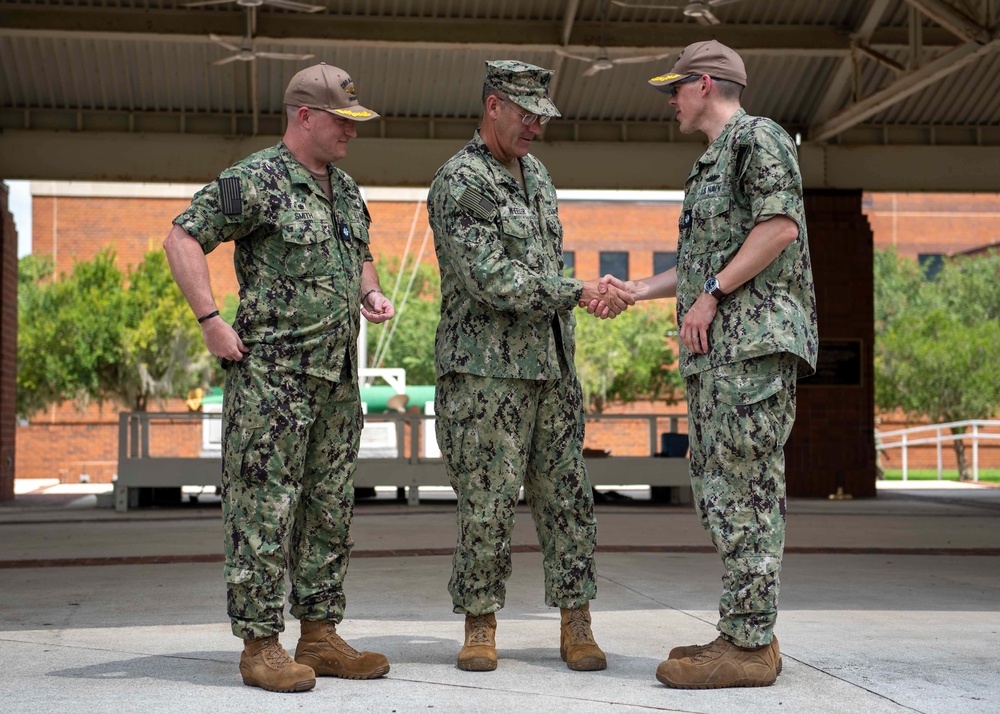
x=749, y=173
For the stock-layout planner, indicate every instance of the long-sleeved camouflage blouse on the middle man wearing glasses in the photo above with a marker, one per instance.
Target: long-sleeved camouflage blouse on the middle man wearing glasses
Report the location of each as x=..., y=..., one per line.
x=505, y=304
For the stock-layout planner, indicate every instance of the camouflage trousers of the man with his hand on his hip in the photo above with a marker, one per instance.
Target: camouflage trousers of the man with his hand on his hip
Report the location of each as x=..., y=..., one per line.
x=290, y=444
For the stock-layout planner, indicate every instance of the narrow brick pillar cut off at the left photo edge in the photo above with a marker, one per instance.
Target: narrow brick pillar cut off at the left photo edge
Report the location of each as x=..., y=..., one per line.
x=8, y=345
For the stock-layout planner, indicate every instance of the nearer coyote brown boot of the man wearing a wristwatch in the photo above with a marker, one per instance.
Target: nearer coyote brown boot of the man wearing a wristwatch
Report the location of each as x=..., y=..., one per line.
x=723, y=664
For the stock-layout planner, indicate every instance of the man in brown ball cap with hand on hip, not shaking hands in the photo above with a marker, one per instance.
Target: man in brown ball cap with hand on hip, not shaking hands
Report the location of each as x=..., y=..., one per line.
x=292, y=410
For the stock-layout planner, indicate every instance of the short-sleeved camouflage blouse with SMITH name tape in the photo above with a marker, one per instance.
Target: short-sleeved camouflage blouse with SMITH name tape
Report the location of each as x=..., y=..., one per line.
x=298, y=257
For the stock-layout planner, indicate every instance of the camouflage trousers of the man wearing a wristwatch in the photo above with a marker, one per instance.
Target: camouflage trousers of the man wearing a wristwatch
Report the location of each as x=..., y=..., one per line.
x=741, y=415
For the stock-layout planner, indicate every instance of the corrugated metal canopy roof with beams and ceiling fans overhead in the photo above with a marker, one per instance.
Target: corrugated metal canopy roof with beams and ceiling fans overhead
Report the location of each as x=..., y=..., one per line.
x=862, y=81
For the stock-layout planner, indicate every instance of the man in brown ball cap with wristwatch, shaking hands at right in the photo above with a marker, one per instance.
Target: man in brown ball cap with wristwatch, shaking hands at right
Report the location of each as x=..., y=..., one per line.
x=747, y=314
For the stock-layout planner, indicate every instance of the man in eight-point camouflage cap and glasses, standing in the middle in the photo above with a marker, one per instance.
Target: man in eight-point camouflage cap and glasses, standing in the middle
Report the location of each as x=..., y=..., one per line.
x=508, y=401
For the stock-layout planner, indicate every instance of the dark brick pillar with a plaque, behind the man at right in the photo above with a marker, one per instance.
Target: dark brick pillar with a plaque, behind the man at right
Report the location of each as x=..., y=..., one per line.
x=832, y=445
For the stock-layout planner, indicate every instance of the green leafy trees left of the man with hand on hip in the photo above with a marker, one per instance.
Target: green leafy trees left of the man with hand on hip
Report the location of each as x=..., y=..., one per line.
x=99, y=334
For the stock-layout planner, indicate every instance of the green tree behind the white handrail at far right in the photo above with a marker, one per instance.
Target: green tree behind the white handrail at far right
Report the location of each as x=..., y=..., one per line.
x=937, y=356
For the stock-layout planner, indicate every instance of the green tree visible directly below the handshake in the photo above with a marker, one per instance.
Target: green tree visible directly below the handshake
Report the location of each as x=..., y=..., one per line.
x=627, y=359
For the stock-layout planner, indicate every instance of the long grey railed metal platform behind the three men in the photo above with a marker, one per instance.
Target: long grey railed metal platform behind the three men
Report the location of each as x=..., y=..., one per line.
x=403, y=466
